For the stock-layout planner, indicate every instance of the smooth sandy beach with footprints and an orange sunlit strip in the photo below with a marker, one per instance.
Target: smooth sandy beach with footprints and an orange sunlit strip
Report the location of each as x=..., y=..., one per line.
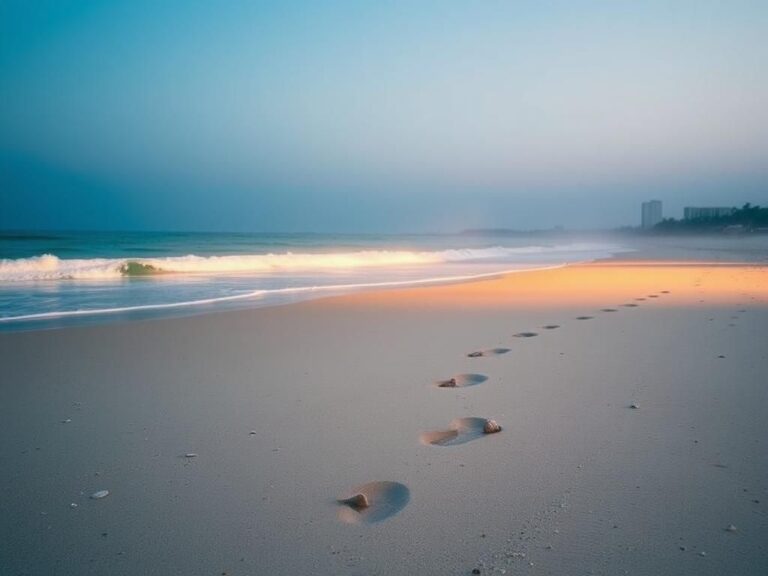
x=632, y=398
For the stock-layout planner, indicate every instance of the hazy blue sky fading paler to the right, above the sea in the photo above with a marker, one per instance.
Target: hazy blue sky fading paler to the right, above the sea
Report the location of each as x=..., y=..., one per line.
x=377, y=116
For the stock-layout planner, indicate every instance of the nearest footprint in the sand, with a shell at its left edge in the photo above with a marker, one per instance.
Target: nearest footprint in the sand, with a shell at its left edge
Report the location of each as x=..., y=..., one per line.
x=373, y=502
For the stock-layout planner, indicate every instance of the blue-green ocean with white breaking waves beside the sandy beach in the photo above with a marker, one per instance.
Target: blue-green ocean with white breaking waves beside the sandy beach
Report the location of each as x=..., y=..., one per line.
x=53, y=279
